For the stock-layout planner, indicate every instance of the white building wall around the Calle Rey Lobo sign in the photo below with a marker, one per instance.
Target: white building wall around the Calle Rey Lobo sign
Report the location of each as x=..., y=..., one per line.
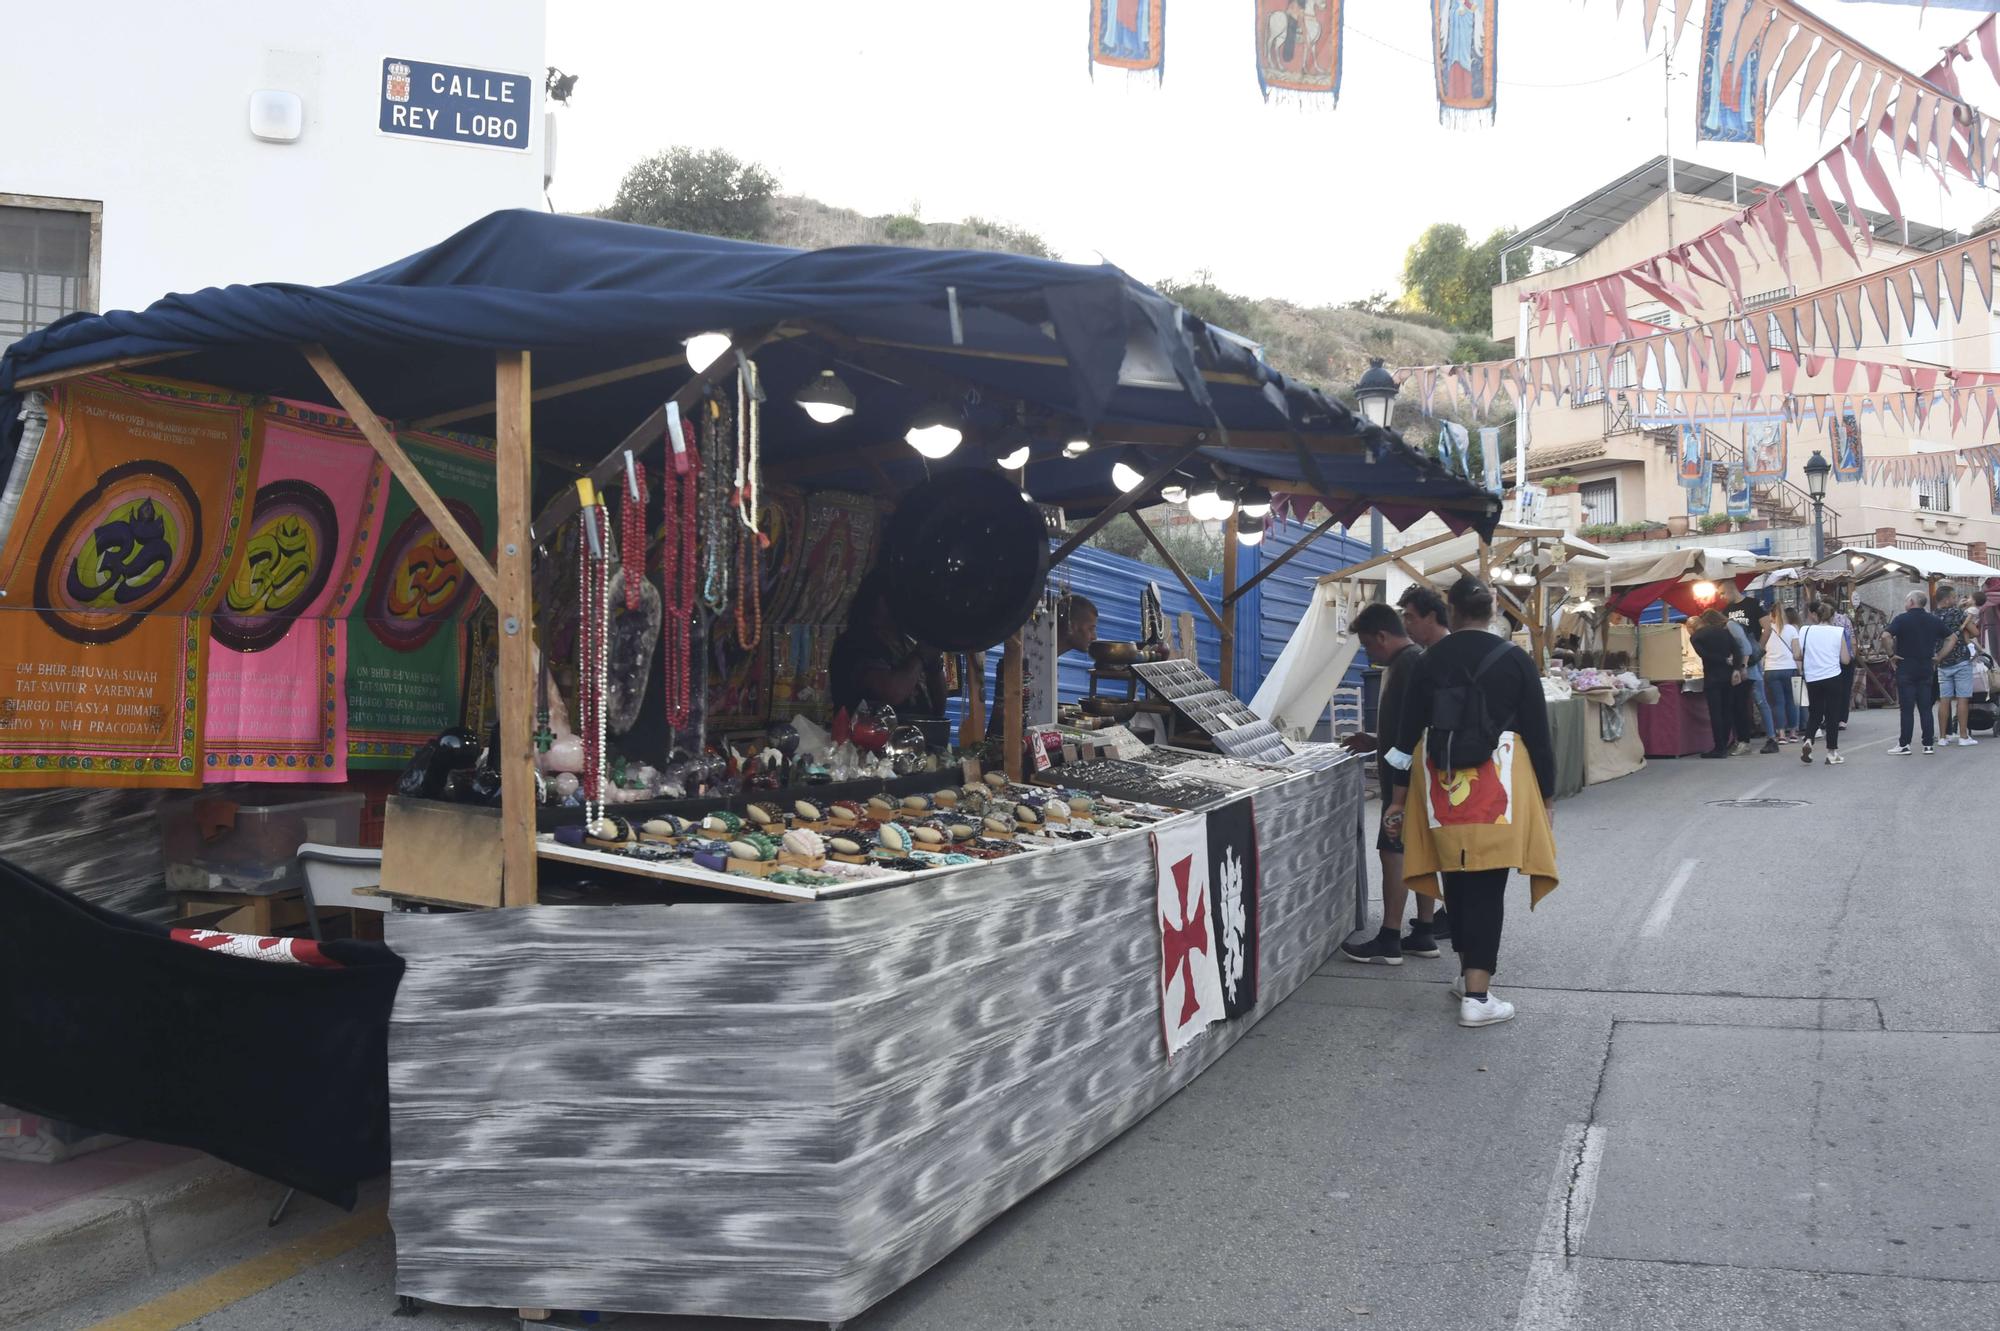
x=145, y=109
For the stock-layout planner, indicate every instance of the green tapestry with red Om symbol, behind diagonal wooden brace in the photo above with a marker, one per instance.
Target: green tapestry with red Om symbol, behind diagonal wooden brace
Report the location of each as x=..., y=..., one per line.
x=407, y=621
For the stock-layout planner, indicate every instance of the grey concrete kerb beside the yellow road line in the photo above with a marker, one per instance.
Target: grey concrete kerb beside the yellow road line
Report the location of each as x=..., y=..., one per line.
x=127, y=1232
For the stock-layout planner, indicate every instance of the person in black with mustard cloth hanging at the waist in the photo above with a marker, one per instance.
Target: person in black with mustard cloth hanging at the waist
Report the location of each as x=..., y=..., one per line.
x=1475, y=710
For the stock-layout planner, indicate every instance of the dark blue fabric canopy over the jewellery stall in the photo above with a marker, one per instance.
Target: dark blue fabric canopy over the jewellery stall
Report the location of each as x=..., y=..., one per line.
x=1027, y=351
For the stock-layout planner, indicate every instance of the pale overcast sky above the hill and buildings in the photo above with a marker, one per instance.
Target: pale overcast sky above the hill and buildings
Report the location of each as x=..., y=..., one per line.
x=991, y=111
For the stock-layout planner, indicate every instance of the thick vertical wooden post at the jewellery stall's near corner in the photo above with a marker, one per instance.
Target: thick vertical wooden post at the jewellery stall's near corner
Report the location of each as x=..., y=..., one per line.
x=515, y=605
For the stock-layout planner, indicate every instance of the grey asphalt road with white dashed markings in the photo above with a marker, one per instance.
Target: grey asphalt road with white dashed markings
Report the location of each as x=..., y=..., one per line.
x=1751, y=1086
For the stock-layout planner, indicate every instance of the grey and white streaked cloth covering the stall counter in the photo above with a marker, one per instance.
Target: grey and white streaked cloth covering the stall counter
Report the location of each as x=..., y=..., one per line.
x=791, y=1110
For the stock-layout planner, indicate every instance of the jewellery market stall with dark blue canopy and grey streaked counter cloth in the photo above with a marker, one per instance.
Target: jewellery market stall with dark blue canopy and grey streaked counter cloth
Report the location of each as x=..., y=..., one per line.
x=829, y=988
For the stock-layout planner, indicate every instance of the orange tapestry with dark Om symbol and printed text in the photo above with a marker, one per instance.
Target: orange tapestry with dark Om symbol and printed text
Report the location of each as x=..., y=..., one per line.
x=129, y=529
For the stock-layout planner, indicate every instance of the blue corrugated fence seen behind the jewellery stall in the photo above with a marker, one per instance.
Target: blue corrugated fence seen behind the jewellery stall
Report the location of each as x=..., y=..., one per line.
x=1265, y=619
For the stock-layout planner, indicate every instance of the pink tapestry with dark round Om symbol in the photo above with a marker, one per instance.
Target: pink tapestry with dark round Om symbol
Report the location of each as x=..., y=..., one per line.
x=279, y=653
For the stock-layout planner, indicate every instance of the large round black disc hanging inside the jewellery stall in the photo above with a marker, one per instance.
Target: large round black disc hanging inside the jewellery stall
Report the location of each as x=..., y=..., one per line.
x=967, y=559
